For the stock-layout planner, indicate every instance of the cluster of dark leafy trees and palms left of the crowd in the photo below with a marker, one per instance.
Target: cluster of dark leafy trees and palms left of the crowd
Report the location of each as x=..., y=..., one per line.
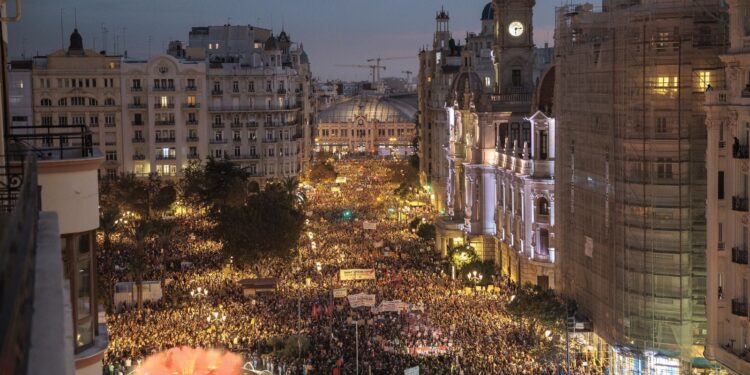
x=136, y=214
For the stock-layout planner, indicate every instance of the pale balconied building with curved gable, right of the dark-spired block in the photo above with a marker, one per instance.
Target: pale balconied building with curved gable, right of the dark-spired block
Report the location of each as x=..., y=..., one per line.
x=164, y=114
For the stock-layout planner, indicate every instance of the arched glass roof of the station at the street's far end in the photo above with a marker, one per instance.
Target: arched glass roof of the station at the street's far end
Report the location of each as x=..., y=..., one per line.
x=372, y=108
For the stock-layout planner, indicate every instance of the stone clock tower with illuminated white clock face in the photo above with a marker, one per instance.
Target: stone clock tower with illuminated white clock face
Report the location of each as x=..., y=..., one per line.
x=514, y=46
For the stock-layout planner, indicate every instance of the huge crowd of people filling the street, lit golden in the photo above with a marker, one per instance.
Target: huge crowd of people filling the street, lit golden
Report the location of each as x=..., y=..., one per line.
x=446, y=329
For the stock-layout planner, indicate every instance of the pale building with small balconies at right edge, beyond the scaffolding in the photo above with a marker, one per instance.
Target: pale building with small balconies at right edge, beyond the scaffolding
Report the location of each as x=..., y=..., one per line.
x=728, y=123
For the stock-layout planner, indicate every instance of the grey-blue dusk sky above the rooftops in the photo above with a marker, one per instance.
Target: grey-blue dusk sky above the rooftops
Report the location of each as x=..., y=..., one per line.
x=332, y=31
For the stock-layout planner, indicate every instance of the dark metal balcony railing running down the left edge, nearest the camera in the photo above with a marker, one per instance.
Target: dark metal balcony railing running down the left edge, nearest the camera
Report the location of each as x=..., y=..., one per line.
x=20, y=201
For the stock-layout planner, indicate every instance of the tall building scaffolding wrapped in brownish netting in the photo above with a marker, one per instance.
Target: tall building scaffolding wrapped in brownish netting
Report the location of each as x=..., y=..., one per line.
x=630, y=176
